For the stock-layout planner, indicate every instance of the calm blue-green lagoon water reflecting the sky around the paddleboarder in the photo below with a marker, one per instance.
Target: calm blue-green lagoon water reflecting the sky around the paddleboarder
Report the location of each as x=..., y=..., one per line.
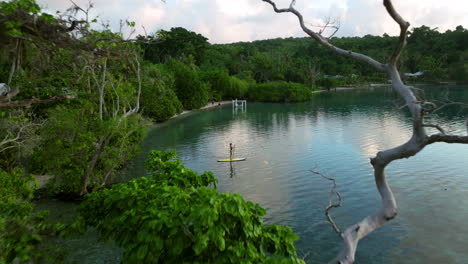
x=335, y=134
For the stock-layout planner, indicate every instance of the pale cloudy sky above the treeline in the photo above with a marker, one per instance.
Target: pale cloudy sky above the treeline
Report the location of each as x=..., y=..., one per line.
x=225, y=21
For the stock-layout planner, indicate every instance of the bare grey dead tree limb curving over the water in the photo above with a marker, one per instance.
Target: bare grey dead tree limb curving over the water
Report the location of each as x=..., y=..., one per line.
x=415, y=144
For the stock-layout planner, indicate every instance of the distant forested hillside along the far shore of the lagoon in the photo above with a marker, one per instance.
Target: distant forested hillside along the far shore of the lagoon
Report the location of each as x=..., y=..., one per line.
x=440, y=56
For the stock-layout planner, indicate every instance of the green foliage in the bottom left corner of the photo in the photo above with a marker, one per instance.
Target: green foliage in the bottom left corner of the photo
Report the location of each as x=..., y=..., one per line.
x=22, y=231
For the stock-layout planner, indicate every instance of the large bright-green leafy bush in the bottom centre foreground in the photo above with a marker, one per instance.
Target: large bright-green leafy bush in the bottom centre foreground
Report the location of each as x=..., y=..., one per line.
x=173, y=217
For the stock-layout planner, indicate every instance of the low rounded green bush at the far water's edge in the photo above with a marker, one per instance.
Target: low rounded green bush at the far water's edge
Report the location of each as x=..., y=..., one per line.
x=279, y=92
